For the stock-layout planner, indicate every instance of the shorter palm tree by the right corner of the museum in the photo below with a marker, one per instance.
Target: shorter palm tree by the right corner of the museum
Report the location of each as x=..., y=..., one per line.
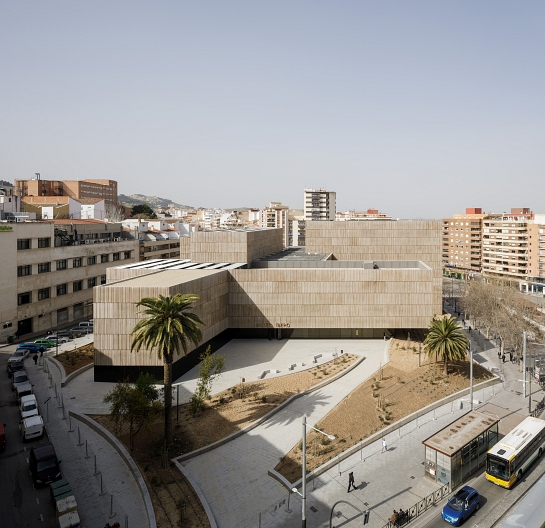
x=446, y=338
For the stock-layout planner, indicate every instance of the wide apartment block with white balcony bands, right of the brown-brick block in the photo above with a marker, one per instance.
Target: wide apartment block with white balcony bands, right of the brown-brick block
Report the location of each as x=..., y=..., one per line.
x=505, y=244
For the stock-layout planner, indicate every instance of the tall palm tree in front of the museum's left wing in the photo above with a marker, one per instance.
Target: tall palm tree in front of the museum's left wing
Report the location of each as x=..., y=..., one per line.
x=168, y=327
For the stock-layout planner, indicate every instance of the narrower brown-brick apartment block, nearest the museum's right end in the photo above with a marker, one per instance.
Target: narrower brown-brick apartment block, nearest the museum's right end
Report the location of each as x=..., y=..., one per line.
x=462, y=242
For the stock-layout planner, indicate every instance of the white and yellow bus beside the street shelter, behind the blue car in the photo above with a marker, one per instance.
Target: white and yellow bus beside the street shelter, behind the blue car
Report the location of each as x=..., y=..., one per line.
x=514, y=453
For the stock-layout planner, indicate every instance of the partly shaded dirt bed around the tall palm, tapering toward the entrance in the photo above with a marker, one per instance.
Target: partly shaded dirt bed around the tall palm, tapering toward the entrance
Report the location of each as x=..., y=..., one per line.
x=226, y=413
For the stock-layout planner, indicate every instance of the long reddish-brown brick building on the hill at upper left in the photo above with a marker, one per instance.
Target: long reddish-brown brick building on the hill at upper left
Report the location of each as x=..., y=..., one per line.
x=77, y=189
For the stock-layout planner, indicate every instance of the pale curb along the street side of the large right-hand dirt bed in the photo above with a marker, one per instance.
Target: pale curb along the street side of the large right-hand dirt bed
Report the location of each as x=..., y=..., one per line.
x=373, y=438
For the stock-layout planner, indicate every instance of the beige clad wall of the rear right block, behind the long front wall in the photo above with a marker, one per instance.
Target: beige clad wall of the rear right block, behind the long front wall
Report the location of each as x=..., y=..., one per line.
x=381, y=240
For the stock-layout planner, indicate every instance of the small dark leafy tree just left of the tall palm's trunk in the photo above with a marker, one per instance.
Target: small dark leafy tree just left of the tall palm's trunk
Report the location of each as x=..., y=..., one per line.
x=136, y=404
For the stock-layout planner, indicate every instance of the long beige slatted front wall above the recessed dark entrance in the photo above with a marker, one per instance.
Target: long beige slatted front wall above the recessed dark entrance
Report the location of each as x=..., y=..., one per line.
x=332, y=298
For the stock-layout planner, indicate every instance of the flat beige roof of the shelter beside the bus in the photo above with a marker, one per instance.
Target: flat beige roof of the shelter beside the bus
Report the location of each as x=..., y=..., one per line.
x=461, y=432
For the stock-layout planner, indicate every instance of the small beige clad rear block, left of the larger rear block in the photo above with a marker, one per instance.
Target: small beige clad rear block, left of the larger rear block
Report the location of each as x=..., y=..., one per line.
x=234, y=245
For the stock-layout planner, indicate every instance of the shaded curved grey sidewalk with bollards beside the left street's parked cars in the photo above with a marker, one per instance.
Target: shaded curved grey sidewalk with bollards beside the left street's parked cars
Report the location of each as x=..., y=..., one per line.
x=117, y=479
